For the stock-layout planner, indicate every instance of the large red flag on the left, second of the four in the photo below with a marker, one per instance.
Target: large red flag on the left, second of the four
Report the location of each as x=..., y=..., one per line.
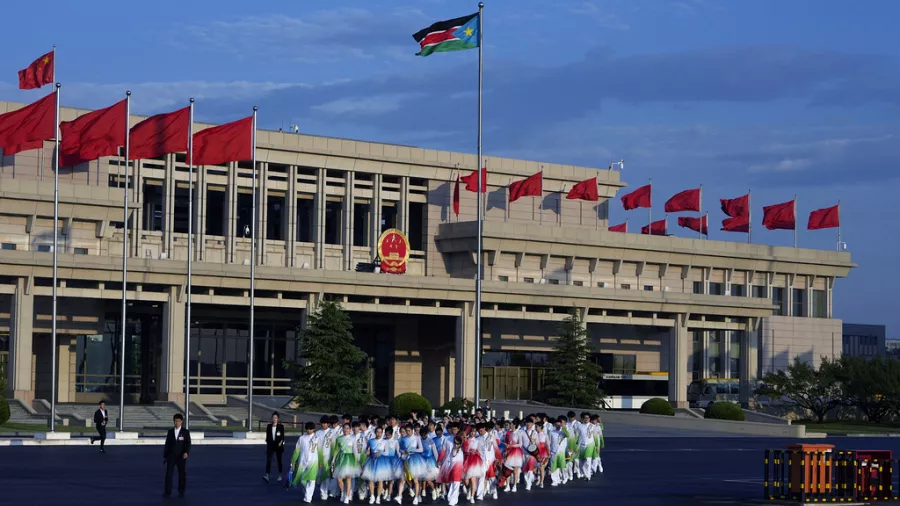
x=95, y=134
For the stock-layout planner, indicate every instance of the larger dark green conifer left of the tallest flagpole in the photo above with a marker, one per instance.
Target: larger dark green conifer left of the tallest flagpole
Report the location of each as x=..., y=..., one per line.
x=333, y=374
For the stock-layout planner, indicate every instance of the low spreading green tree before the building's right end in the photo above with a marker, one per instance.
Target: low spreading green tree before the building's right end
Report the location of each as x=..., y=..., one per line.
x=804, y=386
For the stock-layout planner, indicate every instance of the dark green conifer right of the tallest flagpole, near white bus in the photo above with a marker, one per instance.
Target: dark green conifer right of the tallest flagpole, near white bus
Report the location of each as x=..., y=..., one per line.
x=573, y=378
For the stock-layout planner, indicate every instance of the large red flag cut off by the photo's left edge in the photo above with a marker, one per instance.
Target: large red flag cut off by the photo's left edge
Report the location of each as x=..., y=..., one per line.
x=28, y=127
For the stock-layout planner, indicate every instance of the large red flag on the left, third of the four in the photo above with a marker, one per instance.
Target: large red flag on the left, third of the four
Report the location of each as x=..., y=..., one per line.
x=160, y=135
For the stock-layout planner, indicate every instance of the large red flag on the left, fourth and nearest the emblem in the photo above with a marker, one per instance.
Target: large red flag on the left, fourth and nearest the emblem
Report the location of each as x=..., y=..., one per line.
x=231, y=142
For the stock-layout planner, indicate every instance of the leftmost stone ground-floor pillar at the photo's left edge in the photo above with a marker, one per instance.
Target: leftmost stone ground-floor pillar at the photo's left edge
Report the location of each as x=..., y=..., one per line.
x=19, y=369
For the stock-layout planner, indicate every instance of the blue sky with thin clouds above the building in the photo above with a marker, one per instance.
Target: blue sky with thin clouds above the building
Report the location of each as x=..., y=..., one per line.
x=778, y=97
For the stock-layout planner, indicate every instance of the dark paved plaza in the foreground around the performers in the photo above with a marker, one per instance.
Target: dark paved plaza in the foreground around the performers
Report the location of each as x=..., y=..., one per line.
x=640, y=471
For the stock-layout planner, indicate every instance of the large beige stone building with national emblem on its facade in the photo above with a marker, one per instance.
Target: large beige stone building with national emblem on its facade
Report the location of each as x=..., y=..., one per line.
x=661, y=307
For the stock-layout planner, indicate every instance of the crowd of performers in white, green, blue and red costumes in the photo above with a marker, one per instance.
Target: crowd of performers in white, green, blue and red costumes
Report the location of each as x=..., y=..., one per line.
x=377, y=460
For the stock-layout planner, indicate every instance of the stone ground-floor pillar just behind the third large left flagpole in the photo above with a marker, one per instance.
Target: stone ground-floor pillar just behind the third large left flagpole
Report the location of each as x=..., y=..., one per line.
x=171, y=387
